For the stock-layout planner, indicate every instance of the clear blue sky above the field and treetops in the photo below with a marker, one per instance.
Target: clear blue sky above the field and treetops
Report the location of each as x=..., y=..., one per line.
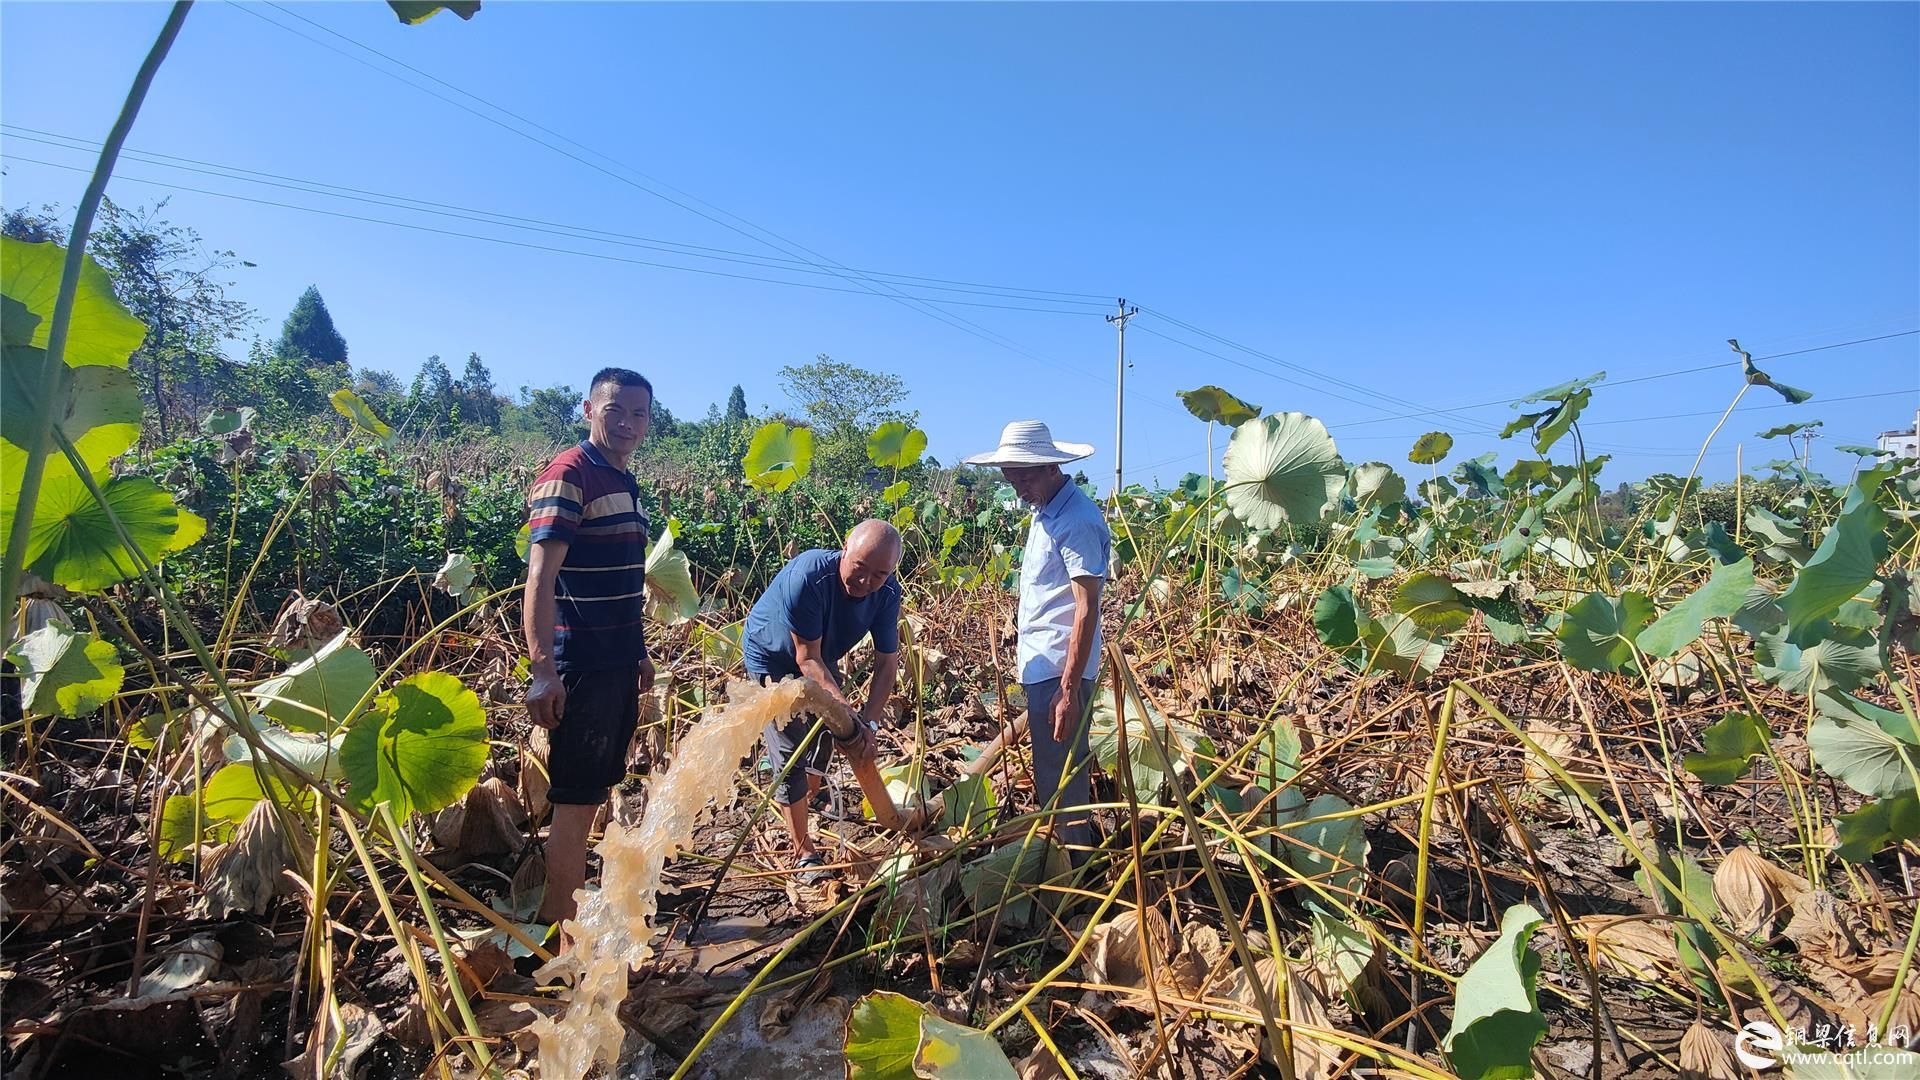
x=1397, y=209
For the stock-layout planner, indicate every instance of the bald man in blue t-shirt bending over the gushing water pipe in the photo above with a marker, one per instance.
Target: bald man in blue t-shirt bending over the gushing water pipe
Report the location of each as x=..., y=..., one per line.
x=813, y=614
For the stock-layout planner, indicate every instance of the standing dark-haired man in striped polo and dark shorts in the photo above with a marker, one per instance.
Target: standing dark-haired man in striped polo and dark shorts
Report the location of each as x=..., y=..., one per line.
x=587, y=574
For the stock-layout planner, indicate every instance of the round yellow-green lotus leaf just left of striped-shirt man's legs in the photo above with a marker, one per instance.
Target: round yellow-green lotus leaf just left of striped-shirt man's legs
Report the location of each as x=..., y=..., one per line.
x=421, y=747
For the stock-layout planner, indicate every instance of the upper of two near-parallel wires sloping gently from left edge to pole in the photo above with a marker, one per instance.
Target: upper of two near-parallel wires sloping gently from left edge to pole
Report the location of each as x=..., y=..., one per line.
x=531, y=224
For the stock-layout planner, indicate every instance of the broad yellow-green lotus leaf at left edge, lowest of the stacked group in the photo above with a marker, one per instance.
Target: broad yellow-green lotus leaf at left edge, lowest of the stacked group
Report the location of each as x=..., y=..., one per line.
x=74, y=543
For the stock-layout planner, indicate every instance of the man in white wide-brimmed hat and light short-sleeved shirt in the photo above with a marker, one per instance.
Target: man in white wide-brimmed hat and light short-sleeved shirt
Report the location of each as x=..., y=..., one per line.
x=1061, y=577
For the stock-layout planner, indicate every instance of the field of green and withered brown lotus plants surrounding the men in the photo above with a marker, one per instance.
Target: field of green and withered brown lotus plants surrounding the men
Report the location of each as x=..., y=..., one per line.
x=1422, y=768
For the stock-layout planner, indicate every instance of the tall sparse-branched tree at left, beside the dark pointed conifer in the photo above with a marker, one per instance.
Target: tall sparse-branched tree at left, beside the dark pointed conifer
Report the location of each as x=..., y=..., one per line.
x=168, y=278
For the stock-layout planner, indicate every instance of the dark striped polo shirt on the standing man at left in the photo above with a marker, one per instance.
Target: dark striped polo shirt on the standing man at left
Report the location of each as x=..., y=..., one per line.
x=594, y=508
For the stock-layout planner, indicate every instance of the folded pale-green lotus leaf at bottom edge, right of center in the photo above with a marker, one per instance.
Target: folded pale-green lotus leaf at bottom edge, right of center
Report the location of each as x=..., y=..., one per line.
x=1497, y=1014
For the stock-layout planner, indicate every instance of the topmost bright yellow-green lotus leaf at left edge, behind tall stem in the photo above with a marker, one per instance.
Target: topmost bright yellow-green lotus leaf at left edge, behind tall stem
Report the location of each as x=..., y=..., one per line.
x=101, y=331
